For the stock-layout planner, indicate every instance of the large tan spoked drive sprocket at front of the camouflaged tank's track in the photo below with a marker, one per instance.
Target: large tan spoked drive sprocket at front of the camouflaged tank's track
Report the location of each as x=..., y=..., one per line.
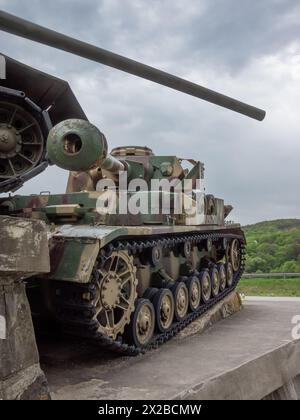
x=116, y=293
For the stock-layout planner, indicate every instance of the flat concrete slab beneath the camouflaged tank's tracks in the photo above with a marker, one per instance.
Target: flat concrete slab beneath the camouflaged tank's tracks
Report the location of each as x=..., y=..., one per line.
x=249, y=355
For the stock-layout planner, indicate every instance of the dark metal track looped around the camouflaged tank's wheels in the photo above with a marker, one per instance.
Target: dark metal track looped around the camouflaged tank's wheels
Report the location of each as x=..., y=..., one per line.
x=76, y=314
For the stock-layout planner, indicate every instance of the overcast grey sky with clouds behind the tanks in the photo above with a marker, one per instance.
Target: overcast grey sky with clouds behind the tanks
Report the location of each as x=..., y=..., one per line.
x=243, y=48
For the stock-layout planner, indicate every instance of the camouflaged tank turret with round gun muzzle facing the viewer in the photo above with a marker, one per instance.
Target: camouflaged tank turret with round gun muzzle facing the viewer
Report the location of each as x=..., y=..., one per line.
x=78, y=146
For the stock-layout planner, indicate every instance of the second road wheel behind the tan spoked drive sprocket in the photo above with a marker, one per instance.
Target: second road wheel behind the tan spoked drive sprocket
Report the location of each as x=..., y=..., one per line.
x=164, y=306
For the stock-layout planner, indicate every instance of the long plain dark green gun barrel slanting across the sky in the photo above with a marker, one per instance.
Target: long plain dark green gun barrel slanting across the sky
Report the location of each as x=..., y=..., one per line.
x=26, y=29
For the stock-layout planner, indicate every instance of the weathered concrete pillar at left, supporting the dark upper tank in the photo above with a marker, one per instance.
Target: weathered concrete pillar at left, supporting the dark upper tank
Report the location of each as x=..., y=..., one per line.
x=23, y=252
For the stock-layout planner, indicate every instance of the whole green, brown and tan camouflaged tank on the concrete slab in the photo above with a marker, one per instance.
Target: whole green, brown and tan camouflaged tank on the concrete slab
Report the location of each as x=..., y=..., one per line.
x=129, y=279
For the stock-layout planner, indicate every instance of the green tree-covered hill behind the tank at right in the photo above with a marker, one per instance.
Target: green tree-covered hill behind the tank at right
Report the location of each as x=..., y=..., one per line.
x=273, y=246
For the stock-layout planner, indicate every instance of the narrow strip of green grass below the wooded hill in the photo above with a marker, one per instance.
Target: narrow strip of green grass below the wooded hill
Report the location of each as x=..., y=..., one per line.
x=270, y=287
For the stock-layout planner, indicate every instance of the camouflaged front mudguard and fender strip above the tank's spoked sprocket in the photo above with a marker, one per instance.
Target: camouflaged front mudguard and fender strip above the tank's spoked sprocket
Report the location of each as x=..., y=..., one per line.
x=86, y=242
